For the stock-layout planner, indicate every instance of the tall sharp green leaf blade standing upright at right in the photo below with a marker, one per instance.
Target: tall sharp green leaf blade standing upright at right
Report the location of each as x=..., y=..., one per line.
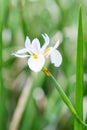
x=79, y=74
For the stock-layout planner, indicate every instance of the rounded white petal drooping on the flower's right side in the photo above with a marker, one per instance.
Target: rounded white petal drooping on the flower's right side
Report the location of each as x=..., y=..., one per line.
x=56, y=58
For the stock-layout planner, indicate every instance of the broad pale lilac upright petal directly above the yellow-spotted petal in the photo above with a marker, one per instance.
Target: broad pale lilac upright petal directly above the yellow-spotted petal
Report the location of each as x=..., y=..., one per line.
x=35, y=48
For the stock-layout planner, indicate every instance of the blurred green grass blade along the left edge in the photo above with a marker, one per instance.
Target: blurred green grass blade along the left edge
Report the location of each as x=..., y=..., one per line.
x=3, y=22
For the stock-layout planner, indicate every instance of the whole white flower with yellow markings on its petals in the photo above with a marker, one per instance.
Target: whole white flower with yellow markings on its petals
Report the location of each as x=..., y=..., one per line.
x=37, y=55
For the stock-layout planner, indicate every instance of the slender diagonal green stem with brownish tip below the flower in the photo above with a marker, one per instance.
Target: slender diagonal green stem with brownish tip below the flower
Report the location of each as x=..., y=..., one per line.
x=63, y=95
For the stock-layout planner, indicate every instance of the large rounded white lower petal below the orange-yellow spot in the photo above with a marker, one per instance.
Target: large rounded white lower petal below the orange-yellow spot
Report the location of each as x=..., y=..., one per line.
x=36, y=64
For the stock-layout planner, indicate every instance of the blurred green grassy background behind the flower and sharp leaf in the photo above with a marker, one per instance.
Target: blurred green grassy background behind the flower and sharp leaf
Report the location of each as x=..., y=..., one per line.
x=28, y=101
